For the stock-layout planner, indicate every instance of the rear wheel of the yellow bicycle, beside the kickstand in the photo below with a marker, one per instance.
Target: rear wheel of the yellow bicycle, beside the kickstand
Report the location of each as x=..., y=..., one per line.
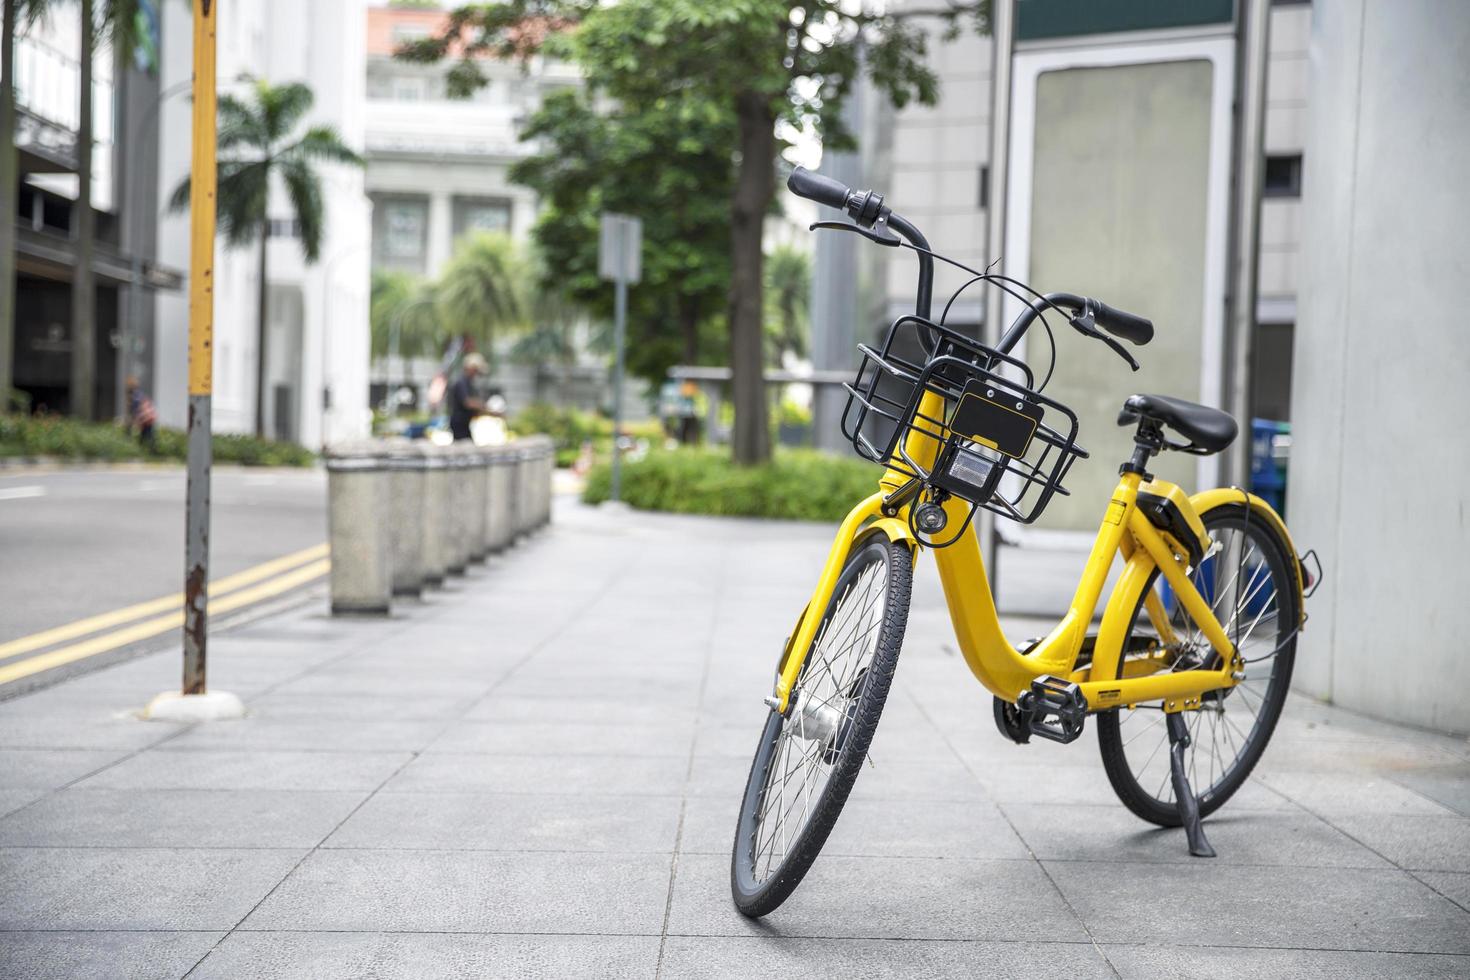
x=1263, y=563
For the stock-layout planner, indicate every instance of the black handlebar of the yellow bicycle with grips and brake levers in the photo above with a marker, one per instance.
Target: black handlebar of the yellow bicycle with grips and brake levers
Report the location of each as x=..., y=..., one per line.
x=867, y=209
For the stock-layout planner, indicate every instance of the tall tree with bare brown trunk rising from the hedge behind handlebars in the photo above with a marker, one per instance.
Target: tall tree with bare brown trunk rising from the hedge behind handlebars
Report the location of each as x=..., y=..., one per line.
x=771, y=62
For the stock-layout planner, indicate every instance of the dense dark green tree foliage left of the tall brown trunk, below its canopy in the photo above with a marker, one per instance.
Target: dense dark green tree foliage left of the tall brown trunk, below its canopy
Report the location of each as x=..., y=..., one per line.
x=668, y=164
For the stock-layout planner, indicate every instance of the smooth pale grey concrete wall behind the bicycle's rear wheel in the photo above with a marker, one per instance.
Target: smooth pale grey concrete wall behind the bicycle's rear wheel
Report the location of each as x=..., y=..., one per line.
x=1383, y=362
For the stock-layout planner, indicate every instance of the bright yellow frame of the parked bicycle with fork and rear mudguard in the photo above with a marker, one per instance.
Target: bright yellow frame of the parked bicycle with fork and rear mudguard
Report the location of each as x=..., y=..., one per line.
x=994, y=662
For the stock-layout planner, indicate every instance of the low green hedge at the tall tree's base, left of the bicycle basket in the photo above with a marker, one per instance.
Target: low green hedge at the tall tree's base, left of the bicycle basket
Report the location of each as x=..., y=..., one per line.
x=797, y=486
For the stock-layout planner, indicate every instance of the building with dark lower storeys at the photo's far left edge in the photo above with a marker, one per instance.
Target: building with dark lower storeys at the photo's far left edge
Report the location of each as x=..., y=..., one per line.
x=126, y=90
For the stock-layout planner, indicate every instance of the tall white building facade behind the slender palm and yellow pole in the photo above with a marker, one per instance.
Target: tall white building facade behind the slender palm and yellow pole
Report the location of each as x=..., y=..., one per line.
x=318, y=336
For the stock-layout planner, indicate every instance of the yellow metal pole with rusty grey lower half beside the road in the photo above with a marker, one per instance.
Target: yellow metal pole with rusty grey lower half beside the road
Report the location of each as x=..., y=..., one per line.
x=201, y=349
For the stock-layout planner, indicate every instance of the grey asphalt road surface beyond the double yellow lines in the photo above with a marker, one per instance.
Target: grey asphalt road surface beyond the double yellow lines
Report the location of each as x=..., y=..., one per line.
x=79, y=543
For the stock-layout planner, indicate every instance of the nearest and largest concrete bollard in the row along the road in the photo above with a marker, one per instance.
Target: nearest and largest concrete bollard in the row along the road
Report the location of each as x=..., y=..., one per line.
x=358, y=497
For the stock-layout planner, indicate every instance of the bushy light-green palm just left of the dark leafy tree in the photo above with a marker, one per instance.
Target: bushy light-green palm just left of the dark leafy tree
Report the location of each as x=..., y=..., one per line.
x=484, y=289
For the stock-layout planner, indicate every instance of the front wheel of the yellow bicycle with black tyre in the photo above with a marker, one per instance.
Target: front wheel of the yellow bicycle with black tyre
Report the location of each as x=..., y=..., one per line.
x=855, y=696
